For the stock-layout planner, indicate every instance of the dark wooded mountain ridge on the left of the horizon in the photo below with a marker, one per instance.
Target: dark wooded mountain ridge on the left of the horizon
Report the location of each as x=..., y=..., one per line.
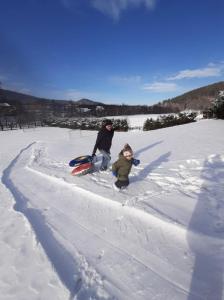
x=30, y=107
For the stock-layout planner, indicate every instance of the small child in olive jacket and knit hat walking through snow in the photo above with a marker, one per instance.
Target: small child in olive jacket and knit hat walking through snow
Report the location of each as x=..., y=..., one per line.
x=122, y=167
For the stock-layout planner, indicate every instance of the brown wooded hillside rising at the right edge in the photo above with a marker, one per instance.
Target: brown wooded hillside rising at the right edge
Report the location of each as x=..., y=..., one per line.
x=198, y=99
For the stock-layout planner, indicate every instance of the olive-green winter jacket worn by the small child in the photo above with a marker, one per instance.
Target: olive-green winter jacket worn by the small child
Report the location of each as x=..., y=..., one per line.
x=122, y=167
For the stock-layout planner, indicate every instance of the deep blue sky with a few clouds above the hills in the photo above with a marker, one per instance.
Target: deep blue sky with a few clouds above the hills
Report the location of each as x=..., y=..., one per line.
x=114, y=51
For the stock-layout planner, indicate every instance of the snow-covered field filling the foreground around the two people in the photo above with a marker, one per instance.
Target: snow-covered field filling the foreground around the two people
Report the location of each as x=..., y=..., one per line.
x=64, y=237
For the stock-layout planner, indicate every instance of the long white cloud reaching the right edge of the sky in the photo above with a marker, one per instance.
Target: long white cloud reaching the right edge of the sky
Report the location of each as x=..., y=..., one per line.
x=210, y=71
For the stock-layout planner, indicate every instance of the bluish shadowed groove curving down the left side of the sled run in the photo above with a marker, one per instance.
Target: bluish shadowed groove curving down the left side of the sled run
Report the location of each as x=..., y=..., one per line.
x=65, y=265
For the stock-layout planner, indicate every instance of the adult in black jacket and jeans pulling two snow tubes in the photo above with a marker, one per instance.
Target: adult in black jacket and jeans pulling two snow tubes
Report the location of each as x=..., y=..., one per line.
x=104, y=142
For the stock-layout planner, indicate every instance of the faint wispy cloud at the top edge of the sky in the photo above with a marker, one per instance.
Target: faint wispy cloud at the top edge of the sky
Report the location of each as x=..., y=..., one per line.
x=113, y=8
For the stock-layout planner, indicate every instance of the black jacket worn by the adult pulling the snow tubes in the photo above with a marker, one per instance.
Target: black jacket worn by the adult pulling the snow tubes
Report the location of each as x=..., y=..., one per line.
x=104, y=140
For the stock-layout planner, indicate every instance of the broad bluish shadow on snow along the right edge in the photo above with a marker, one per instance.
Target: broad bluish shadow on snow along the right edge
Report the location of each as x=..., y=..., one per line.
x=208, y=220
